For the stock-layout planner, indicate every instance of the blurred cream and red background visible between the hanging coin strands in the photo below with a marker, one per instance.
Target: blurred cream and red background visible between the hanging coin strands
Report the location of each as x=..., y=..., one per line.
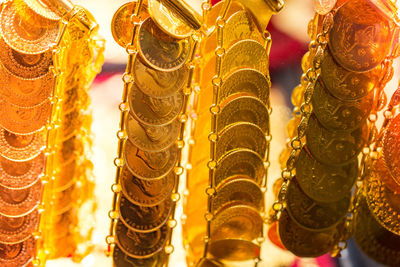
x=290, y=41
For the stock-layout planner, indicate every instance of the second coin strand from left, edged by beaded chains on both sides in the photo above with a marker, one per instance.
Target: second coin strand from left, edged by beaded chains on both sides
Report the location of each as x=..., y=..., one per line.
x=160, y=46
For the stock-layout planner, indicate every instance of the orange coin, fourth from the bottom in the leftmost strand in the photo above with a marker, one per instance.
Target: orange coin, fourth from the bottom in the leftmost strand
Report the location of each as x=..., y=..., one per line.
x=20, y=175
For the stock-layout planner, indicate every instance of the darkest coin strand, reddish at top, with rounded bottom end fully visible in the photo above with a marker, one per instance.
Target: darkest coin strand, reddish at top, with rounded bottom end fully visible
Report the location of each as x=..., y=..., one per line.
x=336, y=110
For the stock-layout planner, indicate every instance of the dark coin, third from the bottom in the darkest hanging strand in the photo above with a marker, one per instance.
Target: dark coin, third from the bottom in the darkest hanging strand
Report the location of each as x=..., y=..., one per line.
x=324, y=183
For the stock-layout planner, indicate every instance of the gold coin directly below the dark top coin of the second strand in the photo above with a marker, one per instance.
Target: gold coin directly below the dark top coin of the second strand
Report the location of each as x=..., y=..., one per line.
x=158, y=84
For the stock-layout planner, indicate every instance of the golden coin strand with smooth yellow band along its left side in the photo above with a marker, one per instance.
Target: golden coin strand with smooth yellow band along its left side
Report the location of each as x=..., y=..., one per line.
x=228, y=175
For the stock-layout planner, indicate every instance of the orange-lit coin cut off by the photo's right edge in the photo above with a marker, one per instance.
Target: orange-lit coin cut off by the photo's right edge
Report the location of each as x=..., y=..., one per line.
x=391, y=148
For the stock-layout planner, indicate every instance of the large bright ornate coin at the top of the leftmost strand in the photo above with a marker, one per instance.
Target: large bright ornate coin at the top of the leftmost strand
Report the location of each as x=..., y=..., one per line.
x=23, y=36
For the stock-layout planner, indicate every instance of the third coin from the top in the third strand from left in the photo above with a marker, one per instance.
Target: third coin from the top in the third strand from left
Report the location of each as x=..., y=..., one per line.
x=248, y=81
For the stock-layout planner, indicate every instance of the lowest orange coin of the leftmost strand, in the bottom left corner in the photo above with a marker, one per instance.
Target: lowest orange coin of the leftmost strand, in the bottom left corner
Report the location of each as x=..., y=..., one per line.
x=20, y=254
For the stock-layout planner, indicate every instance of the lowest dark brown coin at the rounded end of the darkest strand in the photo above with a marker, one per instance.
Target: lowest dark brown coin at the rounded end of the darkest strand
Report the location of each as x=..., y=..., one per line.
x=304, y=243
